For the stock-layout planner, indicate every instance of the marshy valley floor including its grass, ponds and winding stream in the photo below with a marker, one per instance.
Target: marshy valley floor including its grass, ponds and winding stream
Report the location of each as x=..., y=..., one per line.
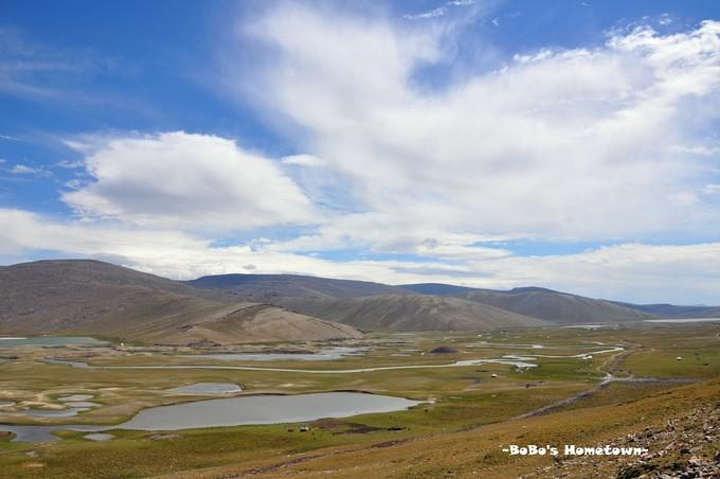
x=140, y=392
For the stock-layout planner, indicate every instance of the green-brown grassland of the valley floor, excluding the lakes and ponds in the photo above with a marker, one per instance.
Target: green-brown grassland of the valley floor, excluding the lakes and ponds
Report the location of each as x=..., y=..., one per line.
x=459, y=433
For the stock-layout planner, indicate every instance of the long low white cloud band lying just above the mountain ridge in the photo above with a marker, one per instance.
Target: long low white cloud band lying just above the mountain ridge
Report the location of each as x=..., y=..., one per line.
x=630, y=272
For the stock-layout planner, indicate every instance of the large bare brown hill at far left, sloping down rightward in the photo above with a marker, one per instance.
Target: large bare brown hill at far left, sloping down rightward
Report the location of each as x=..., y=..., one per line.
x=92, y=297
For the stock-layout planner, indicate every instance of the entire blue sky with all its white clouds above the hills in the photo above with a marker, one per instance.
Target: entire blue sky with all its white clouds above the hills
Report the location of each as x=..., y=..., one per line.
x=573, y=145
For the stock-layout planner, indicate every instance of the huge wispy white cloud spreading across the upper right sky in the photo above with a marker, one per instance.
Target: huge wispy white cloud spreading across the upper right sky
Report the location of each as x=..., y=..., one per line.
x=564, y=144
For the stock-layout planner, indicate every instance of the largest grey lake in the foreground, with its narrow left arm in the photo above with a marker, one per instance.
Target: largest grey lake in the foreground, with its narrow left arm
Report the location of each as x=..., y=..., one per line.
x=237, y=411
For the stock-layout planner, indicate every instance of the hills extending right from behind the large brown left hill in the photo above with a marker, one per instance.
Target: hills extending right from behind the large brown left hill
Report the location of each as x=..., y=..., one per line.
x=331, y=298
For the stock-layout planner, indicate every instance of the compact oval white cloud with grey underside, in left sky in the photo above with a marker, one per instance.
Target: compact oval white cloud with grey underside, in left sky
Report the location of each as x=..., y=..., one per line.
x=187, y=181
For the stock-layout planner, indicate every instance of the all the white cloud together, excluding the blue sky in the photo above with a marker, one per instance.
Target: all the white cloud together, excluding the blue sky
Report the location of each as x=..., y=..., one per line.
x=612, y=143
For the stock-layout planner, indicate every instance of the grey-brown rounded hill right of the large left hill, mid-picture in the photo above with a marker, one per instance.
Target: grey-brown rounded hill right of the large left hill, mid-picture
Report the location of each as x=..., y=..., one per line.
x=410, y=313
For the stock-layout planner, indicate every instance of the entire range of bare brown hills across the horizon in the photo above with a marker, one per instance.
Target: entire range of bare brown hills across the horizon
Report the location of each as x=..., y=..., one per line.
x=96, y=298
